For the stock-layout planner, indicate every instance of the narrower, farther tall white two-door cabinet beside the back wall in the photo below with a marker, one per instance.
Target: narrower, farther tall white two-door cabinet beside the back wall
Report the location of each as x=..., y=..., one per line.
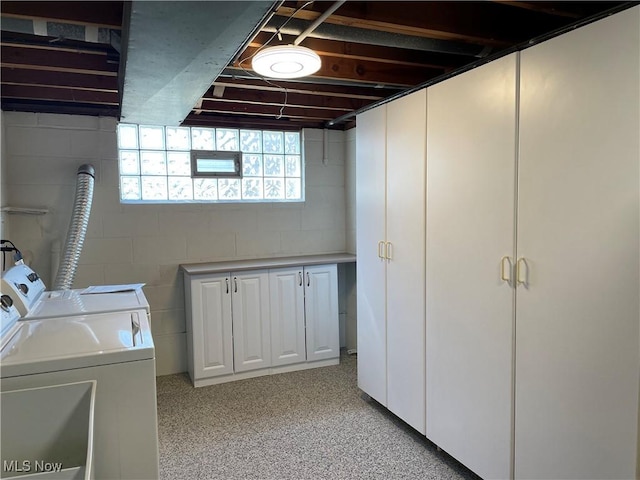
x=390, y=207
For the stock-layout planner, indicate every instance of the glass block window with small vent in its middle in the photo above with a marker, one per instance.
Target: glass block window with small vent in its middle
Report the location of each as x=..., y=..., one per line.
x=155, y=165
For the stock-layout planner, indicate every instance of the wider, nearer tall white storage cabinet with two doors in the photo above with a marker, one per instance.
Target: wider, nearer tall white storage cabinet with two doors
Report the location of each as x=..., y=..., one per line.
x=533, y=208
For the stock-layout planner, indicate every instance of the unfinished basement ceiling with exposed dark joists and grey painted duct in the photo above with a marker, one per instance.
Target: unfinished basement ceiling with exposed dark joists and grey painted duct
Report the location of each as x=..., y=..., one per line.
x=69, y=57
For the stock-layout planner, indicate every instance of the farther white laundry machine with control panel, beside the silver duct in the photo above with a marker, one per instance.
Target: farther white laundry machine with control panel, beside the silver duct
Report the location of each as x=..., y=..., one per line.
x=33, y=301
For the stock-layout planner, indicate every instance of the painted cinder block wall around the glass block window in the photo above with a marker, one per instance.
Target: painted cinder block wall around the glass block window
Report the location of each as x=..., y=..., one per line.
x=146, y=243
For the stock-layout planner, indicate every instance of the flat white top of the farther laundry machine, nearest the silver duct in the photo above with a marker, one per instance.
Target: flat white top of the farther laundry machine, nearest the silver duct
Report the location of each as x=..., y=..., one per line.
x=62, y=303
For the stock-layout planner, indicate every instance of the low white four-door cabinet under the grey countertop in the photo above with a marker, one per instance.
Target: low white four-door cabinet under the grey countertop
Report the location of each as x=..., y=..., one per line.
x=248, y=323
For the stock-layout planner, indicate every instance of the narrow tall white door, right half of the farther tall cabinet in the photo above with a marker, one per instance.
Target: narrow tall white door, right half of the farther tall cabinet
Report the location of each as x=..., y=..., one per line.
x=406, y=127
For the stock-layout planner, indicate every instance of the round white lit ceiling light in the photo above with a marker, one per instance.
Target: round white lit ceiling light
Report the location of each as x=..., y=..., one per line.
x=286, y=61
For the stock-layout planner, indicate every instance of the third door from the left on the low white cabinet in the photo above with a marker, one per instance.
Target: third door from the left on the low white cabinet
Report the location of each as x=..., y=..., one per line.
x=287, y=316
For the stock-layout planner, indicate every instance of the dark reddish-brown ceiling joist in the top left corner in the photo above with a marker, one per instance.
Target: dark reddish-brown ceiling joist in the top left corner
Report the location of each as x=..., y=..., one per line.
x=101, y=14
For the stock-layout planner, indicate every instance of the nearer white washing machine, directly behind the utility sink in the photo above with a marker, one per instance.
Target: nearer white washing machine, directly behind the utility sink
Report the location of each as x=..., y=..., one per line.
x=115, y=350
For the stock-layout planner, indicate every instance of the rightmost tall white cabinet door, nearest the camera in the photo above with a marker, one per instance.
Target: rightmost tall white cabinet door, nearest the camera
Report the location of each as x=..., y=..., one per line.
x=578, y=223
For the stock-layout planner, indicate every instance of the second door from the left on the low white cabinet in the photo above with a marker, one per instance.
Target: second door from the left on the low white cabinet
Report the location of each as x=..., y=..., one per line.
x=251, y=324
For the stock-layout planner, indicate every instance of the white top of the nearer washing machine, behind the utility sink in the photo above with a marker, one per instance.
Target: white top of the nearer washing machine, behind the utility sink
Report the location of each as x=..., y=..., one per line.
x=55, y=344
